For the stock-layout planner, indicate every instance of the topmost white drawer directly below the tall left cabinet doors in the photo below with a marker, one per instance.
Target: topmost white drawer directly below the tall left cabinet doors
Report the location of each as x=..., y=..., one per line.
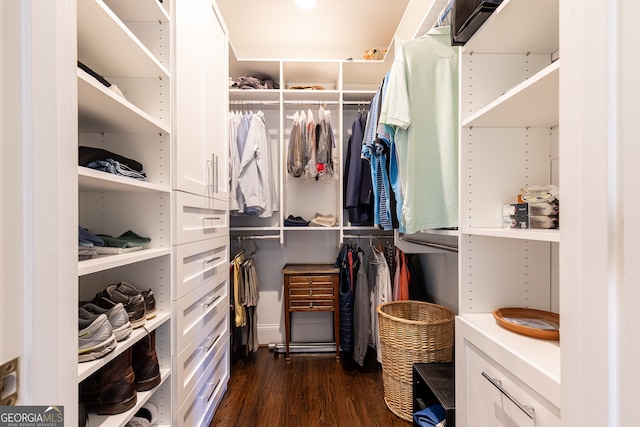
x=199, y=218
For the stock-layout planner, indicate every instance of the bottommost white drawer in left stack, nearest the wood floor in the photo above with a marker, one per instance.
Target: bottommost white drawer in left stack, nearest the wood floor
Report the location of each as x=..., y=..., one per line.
x=204, y=398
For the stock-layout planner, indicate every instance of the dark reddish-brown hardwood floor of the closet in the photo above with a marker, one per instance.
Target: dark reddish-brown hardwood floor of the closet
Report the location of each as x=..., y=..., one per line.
x=311, y=390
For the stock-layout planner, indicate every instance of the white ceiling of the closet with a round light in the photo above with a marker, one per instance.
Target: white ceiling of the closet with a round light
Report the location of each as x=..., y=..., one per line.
x=334, y=29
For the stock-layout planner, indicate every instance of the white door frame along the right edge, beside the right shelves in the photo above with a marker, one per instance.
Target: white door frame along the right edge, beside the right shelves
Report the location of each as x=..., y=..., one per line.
x=599, y=265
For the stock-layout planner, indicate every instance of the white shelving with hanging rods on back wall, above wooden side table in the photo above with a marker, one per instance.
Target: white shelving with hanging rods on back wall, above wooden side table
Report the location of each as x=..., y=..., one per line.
x=347, y=84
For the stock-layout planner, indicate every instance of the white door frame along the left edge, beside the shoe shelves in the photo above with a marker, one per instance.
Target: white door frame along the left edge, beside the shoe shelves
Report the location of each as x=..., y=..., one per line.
x=39, y=195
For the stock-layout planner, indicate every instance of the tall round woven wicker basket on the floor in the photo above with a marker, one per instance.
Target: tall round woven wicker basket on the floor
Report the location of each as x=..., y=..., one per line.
x=411, y=332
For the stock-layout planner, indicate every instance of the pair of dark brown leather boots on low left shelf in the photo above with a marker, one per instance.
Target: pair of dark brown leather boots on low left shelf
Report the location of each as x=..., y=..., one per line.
x=113, y=389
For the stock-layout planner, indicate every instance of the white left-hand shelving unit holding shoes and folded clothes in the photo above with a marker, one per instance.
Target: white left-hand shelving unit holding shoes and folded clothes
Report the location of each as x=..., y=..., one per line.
x=128, y=44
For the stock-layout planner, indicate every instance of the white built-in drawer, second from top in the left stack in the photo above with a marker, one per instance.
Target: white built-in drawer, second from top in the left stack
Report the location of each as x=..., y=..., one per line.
x=197, y=262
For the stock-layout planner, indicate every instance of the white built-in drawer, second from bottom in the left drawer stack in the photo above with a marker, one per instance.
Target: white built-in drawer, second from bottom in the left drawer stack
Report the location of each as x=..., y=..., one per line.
x=197, y=356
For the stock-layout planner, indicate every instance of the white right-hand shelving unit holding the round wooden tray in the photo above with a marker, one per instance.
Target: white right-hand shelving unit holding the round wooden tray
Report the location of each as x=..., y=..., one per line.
x=509, y=140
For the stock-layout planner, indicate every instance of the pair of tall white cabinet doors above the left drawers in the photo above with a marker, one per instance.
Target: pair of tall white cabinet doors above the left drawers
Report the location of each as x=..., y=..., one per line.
x=200, y=93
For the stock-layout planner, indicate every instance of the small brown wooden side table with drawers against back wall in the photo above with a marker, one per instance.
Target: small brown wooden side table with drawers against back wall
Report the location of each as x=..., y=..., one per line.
x=311, y=287
